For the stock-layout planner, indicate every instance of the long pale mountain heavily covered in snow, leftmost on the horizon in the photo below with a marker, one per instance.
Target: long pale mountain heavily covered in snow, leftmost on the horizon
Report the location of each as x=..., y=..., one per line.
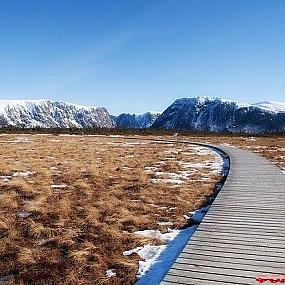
x=52, y=114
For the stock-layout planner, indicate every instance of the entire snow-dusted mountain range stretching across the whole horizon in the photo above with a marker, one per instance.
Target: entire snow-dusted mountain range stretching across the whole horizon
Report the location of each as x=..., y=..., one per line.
x=200, y=114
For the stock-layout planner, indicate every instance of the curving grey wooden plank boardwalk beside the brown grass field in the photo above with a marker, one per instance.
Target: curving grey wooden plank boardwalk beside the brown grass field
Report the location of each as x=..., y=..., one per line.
x=243, y=234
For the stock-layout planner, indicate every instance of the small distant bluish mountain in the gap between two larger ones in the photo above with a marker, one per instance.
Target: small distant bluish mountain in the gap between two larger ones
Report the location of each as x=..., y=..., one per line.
x=134, y=121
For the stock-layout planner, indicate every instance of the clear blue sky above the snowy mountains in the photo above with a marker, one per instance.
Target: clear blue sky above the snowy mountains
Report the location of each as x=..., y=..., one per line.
x=140, y=55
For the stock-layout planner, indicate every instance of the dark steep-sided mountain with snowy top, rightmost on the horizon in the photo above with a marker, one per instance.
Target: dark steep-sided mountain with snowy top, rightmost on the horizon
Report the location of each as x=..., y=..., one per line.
x=220, y=115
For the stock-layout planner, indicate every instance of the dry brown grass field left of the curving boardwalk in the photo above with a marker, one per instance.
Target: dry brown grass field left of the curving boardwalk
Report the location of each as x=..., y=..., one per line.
x=104, y=190
